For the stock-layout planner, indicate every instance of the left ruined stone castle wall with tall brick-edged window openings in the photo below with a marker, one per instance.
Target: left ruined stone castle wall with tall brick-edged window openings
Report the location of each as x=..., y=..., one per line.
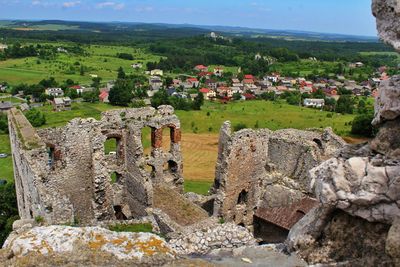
x=67, y=176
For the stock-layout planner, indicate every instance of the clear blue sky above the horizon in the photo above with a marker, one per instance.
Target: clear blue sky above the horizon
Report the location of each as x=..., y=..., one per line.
x=328, y=16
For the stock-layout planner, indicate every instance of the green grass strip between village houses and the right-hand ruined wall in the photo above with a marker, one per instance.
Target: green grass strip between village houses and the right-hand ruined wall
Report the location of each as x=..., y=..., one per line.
x=267, y=114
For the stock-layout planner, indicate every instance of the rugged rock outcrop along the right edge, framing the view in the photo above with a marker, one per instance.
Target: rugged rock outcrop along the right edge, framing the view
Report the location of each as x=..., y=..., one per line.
x=357, y=221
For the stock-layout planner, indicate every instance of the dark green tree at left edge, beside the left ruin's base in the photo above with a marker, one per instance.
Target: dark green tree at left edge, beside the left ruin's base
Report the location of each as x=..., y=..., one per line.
x=8, y=210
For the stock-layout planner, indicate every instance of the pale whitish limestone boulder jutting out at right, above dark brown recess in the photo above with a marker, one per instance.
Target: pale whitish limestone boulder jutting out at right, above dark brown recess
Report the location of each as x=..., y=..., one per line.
x=358, y=187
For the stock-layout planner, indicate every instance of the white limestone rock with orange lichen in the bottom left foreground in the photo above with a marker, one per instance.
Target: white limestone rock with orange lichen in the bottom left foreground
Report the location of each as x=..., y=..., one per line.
x=59, y=240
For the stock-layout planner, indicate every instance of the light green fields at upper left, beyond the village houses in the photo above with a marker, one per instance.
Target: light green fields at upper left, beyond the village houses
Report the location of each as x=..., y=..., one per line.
x=100, y=60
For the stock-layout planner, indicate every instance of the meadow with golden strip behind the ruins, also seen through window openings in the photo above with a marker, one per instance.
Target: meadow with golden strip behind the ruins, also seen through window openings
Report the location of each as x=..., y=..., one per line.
x=200, y=130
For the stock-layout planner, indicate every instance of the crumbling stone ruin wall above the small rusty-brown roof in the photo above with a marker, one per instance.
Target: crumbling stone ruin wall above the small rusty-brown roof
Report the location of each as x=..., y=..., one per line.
x=266, y=169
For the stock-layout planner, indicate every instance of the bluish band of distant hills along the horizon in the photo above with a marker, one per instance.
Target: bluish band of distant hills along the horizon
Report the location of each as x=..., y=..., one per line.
x=161, y=30
